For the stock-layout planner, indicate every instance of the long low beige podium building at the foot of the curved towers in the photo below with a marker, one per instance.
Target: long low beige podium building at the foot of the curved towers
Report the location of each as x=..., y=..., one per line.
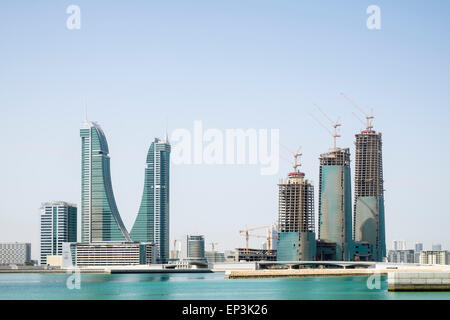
x=111, y=253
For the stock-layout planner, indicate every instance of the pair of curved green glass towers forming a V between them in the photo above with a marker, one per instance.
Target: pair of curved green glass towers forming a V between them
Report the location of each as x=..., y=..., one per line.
x=100, y=218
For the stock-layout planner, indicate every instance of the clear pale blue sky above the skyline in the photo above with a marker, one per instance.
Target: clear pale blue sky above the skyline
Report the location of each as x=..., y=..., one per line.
x=231, y=64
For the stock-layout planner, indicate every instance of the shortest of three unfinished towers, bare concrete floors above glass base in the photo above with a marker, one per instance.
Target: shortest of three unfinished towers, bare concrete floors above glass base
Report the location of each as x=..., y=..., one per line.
x=297, y=240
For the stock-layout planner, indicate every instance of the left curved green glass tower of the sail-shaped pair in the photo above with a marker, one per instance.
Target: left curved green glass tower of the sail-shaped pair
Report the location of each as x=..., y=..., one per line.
x=100, y=218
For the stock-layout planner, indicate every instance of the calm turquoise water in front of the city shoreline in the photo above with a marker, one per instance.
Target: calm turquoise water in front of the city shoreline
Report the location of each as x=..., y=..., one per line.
x=196, y=286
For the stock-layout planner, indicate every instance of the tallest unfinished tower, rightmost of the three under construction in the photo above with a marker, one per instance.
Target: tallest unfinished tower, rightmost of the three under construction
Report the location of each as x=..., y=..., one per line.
x=369, y=193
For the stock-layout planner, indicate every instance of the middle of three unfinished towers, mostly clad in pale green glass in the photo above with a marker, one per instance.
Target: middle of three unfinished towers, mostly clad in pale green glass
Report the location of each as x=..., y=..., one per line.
x=335, y=208
